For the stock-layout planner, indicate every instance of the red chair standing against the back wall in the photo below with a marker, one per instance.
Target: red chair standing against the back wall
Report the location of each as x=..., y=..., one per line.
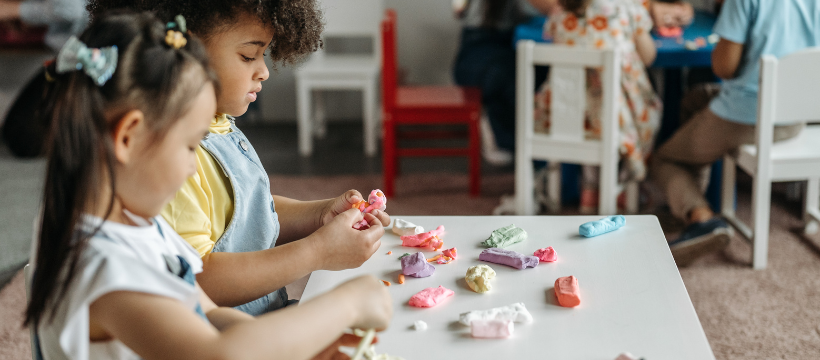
x=424, y=105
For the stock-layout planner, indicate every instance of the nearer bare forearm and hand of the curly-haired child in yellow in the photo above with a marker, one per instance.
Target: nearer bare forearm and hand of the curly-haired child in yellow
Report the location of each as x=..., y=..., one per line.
x=232, y=279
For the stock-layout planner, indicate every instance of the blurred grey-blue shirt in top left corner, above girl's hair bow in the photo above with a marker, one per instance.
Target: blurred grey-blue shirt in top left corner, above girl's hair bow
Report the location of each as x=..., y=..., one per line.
x=63, y=18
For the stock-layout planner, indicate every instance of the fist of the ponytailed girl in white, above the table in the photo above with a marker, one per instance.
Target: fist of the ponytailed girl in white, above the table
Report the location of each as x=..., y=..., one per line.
x=370, y=301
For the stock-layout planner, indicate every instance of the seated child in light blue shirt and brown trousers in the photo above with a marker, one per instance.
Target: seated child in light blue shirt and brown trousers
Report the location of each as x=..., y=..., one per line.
x=723, y=118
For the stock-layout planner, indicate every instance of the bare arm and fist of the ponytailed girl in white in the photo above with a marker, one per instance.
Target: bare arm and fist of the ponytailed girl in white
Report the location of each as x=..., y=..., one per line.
x=157, y=327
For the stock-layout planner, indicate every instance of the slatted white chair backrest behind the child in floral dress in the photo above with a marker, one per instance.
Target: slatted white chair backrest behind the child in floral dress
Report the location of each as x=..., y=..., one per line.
x=568, y=104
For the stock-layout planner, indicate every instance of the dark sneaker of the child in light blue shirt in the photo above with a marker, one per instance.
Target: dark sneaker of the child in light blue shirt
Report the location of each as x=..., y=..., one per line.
x=700, y=239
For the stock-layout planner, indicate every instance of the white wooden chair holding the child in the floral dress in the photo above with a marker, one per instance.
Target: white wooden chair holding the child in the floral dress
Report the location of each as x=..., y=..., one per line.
x=566, y=143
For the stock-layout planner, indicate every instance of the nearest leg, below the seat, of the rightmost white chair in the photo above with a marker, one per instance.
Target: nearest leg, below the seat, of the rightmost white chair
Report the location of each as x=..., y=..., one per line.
x=761, y=201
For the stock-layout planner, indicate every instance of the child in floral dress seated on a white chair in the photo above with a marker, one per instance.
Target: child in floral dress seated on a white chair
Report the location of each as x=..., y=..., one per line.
x=600, y=24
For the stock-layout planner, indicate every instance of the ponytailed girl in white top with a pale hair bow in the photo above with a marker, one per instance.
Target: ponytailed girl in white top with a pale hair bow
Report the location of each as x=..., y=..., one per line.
x=129, y=103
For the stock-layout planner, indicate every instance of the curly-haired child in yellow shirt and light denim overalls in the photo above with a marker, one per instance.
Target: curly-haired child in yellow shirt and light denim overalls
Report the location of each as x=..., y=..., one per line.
x=245, y=236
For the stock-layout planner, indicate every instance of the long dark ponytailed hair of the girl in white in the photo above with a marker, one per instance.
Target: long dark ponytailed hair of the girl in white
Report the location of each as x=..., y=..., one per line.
x=151, y=76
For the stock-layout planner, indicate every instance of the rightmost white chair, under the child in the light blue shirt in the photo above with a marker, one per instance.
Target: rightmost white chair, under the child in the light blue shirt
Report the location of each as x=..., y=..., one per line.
x=788, y=94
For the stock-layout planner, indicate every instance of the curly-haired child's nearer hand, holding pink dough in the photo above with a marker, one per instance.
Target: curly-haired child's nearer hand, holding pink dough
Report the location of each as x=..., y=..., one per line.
x=339, y=246
